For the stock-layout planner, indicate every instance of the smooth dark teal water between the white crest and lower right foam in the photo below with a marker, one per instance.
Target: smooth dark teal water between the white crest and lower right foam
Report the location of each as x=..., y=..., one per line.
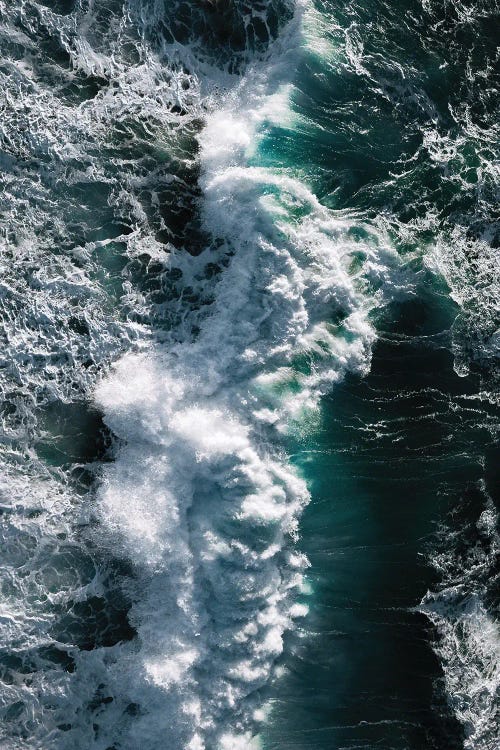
x=396, y=452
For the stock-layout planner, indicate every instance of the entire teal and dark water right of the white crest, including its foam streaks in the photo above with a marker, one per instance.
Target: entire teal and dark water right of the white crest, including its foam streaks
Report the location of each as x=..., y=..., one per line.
x=399, y=122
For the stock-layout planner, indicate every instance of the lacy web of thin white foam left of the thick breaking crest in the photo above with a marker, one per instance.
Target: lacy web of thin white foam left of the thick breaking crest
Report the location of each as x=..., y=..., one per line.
x=68, y=306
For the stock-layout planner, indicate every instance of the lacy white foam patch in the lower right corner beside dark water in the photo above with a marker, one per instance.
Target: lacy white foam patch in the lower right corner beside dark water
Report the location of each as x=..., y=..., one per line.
x=469, y=635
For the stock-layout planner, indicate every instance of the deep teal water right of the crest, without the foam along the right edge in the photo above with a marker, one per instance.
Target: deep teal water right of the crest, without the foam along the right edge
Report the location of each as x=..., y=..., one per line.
x=406, y=450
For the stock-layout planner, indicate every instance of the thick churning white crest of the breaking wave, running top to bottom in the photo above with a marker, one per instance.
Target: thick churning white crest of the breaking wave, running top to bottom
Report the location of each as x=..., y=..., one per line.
x=200, y=496
